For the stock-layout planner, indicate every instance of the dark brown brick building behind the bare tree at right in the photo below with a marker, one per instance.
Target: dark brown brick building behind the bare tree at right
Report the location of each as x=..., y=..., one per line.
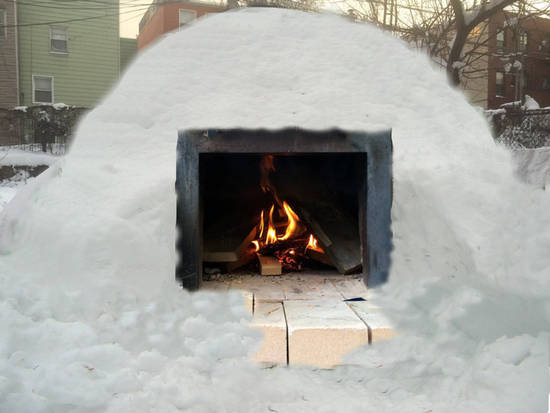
x=519, y=59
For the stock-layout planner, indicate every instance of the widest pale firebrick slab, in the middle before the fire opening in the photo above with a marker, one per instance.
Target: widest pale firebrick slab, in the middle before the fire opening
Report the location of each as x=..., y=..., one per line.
x=321, y=332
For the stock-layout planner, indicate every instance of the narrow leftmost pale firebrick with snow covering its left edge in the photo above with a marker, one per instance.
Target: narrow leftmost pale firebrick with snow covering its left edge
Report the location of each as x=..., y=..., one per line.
x=270, y=318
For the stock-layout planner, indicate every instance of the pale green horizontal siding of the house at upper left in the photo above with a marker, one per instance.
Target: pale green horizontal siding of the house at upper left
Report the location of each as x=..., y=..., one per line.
x=91, y=66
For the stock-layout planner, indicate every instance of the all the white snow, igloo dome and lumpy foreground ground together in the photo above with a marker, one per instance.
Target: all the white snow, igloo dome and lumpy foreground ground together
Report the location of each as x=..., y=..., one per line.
x=93, y=320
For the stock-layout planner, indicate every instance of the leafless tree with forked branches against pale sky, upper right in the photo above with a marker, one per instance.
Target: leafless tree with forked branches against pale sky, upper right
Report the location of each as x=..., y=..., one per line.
x=453, y=32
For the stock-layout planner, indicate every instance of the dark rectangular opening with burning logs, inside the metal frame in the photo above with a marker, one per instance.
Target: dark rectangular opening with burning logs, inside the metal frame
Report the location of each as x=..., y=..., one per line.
x=283, y=213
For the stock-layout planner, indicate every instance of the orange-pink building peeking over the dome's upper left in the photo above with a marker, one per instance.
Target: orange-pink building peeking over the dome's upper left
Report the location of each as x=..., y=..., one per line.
x=163, y=18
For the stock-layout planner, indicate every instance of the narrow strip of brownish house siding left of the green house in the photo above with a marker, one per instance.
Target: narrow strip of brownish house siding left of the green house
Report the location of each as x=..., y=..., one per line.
x=8, y=59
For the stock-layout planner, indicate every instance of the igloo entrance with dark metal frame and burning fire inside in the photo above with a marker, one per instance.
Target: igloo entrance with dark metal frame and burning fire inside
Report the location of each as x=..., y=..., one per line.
x=283, y=201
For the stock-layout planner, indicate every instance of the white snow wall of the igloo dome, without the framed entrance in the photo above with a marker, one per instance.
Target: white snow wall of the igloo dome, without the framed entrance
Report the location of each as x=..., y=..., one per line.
x=111, y=202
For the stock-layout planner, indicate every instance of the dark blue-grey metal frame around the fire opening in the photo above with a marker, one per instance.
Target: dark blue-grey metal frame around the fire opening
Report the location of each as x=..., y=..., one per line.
x=374, y=201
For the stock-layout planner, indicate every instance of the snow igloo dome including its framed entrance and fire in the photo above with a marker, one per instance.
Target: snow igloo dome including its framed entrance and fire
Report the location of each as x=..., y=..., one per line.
x=289, y=128
